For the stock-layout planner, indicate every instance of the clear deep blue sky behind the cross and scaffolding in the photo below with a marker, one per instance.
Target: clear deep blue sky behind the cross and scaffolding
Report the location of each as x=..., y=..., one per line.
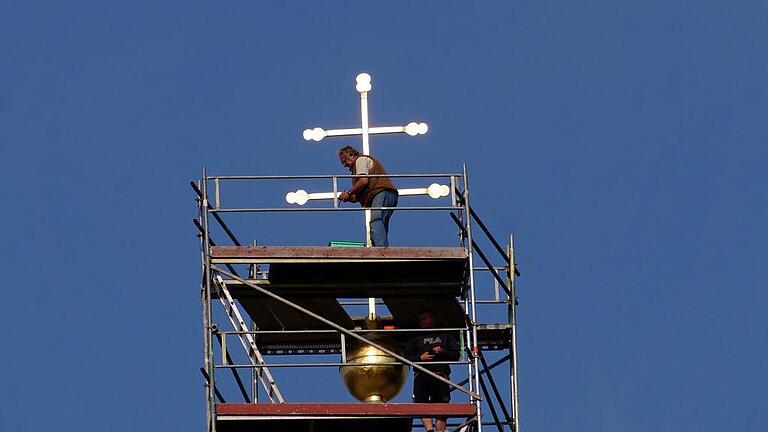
x=622, y=142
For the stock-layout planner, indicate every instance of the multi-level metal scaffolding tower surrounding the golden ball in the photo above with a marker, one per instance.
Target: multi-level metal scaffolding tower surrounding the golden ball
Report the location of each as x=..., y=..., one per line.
x=286, y=301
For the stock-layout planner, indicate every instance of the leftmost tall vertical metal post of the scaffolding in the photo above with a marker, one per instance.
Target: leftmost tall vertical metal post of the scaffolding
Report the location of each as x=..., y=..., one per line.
x=207, y=318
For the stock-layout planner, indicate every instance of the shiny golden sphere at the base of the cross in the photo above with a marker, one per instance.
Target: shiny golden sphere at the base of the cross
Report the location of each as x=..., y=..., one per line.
x=373, y=383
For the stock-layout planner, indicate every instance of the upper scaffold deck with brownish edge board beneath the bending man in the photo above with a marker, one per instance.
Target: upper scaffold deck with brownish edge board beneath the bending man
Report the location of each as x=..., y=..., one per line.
x=352, y=272
